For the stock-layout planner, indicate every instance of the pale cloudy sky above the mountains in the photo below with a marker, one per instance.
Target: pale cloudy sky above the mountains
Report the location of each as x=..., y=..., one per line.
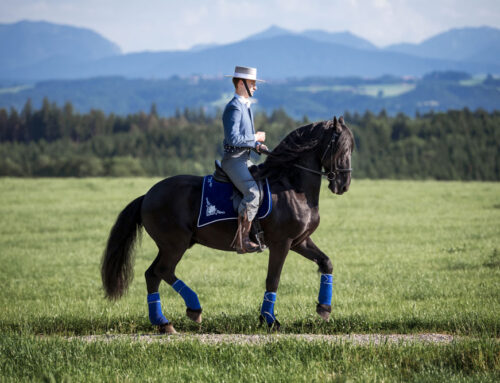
x=176, y=25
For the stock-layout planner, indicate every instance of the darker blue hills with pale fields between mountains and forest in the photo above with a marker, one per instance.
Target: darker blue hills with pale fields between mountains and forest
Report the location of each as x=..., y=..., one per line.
x=315, y=97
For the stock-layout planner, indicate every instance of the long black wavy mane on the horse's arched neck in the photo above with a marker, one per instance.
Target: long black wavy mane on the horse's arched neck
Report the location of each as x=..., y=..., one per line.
x=302, y=140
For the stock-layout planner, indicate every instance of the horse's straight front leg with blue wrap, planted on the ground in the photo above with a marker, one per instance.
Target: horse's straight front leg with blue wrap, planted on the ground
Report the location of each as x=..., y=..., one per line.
x=277, y=256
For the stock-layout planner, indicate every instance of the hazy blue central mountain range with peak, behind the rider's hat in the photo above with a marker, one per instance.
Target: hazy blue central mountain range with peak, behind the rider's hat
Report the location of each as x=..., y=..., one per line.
x=278, y=58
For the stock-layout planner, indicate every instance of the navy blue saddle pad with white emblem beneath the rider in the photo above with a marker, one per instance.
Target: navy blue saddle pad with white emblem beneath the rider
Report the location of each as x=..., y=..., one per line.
x=217, y=203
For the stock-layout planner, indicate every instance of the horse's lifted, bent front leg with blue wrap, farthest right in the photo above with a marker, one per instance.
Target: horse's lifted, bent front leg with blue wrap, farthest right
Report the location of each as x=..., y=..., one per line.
x=308, y=249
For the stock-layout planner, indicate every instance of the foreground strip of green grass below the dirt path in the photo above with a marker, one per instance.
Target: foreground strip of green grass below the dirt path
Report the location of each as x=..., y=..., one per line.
x=55, y=359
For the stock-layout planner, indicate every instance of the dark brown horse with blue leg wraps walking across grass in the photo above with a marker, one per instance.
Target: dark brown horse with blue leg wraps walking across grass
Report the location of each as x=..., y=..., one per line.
x=169, y=210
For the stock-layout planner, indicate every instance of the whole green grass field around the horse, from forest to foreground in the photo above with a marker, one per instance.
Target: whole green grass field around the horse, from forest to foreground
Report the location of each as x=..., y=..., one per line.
x=408, y=257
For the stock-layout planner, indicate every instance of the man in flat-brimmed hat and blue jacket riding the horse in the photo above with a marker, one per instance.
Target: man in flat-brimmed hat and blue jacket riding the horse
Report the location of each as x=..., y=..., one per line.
x=239, y=139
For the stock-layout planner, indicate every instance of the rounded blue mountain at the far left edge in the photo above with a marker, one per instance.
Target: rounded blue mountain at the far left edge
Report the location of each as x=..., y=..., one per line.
x=29, y=43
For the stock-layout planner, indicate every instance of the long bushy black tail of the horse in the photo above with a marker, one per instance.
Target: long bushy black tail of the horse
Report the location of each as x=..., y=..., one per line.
x=116, y=264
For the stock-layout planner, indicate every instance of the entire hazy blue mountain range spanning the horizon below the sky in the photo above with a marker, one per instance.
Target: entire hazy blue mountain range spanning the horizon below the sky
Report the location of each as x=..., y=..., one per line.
x=61, y=52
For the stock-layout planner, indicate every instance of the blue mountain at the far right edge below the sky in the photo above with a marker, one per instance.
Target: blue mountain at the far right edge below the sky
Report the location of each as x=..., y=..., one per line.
x=465, y=44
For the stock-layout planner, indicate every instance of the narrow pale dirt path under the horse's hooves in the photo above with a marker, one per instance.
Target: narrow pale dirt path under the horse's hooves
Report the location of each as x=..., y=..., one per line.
x=358, y=339
